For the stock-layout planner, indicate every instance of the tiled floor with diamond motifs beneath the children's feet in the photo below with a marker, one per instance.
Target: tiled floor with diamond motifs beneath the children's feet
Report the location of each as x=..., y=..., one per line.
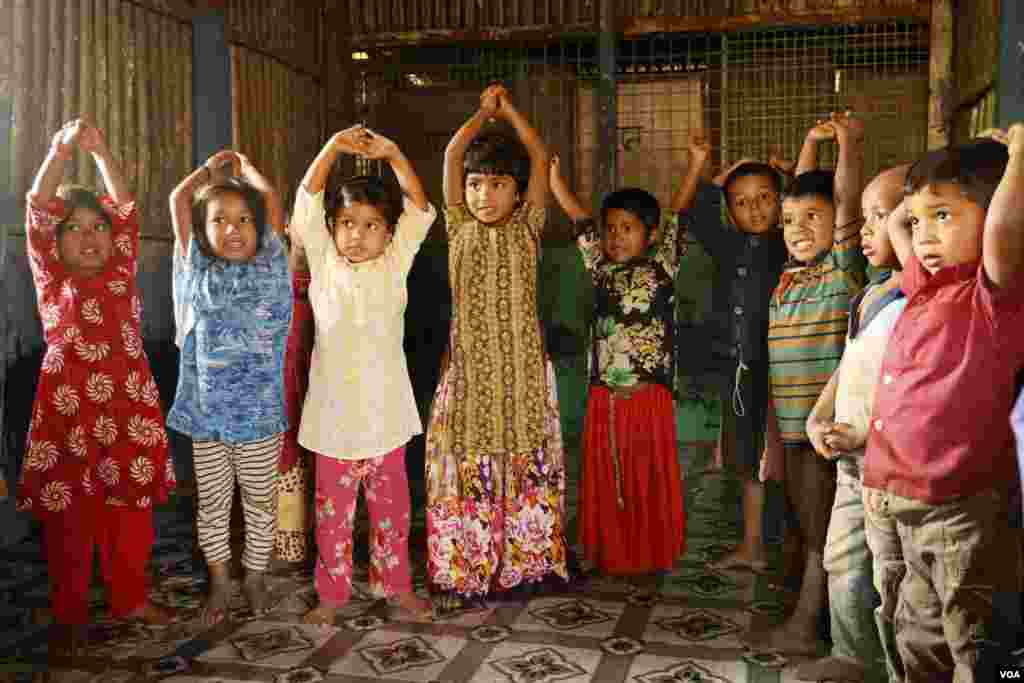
x=604, y=630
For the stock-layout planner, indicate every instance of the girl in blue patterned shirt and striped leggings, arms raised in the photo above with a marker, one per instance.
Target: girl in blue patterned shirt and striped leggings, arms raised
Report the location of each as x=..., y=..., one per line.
x=233, y=306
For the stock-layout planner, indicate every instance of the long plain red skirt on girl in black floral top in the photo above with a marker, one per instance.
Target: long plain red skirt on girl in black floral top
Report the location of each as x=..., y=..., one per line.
x=632, y=519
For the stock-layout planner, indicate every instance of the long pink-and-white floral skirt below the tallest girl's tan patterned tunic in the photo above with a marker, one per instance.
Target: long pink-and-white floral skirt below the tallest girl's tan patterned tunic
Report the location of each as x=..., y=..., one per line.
x=494, y=521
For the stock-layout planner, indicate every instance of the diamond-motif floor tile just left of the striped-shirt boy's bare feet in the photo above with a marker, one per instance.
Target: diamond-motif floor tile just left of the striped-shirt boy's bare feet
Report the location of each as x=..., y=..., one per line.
x=698, y=626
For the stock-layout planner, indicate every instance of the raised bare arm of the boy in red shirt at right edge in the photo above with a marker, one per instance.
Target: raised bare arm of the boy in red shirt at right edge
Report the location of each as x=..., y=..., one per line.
x=1003, y=244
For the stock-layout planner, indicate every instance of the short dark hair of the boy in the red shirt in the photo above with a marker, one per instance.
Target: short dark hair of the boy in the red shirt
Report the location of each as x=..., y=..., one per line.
x=976, y=167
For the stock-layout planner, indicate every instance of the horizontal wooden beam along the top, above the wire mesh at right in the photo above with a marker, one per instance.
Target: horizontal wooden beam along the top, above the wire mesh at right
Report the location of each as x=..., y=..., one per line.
x=637, y=26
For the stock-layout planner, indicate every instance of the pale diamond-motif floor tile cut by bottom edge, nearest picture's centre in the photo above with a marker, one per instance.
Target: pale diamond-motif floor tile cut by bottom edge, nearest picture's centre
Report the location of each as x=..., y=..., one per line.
x=519, y=663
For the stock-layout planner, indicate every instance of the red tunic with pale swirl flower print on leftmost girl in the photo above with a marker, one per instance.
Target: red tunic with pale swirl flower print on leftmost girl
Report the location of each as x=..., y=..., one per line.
x=98, y=429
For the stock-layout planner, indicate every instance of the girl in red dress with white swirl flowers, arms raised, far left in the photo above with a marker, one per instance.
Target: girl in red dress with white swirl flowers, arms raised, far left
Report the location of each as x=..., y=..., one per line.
x=98, y=459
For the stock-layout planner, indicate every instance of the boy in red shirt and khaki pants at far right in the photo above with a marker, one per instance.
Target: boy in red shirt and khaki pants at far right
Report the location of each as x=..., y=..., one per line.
x=941, y=466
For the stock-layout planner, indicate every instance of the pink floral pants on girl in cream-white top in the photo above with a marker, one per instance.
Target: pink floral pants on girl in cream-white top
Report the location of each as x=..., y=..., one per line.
x=388, y=502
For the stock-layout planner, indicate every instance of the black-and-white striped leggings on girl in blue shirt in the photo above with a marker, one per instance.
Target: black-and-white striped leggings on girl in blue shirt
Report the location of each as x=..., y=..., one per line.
x=254, y=466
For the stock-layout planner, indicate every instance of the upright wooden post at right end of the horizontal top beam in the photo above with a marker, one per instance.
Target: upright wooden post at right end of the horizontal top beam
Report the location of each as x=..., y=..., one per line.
x=942, y=83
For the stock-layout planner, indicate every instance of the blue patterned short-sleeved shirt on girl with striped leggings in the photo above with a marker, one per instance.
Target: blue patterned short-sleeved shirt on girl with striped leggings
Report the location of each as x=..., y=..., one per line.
x=233, y=325
